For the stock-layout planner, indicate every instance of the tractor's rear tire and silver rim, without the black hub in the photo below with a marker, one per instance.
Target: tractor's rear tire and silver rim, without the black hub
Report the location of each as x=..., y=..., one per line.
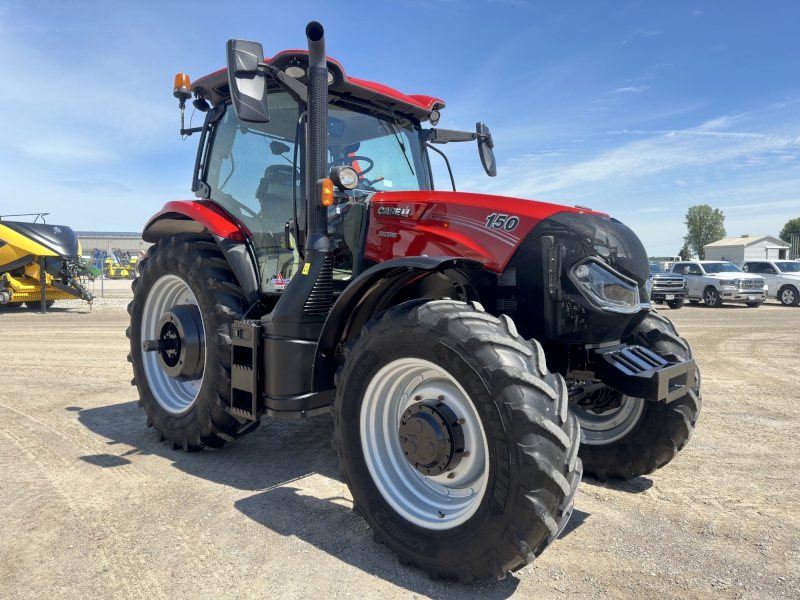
x=192, y=423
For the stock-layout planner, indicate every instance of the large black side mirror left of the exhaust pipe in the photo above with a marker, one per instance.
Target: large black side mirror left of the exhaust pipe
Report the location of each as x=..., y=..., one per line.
x=248, y=85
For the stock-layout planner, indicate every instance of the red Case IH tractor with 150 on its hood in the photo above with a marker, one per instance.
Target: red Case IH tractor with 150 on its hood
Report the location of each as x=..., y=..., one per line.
x=477, y=353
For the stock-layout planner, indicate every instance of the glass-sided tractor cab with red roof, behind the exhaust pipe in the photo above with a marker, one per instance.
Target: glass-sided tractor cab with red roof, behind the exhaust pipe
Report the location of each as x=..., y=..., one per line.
x=254, y=169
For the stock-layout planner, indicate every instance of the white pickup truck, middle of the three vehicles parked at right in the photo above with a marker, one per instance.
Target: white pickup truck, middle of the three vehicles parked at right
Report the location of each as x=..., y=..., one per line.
x=716, y=281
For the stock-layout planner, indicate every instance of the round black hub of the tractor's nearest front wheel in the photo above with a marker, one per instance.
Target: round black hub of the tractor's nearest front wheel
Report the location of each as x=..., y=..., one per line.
x=431, y=437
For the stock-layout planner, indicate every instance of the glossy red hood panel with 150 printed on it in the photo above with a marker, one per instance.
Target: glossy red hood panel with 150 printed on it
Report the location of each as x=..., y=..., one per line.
x=478, y=226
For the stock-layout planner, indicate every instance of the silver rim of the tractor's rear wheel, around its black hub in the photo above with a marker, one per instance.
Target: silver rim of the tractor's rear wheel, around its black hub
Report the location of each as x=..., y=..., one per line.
x=174, y=396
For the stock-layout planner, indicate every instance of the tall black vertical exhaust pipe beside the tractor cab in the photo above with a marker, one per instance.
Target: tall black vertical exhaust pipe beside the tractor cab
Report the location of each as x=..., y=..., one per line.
x=317, y=141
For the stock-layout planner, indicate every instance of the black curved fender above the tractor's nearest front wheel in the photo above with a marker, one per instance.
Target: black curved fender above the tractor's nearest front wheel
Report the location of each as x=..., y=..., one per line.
x=382, y=287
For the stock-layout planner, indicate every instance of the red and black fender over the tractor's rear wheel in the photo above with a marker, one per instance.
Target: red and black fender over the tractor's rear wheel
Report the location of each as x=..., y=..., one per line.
x=206, y=217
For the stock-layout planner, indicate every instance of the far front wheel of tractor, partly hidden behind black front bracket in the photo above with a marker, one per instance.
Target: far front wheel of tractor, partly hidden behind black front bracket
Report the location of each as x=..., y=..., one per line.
x=660, y=430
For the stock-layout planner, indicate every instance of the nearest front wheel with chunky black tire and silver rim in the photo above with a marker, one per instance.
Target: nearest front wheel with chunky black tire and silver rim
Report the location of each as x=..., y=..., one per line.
x=505, y=502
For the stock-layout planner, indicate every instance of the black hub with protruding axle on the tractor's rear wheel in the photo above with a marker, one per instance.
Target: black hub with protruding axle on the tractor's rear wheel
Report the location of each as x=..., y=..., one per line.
x=180, y=344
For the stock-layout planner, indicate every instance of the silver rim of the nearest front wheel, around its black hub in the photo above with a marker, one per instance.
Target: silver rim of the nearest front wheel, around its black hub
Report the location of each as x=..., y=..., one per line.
x=440, y=501
